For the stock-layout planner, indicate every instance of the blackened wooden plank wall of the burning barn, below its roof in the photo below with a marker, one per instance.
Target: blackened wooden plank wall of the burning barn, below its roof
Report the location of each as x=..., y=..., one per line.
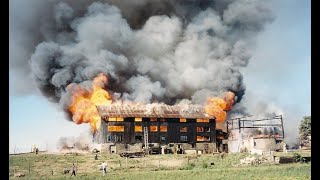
x=172, y=135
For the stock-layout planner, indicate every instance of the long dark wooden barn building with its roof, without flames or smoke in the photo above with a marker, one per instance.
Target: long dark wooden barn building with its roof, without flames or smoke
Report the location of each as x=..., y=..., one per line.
x=163, y=128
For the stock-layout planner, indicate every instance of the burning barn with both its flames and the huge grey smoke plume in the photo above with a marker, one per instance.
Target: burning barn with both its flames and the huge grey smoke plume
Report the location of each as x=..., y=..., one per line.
x=88, y=56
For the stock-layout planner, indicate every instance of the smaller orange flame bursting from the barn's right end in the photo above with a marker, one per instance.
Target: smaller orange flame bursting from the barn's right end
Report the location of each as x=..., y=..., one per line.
x=217, y=107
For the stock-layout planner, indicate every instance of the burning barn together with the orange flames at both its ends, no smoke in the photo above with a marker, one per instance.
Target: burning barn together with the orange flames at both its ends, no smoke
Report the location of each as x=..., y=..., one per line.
x=128, y=126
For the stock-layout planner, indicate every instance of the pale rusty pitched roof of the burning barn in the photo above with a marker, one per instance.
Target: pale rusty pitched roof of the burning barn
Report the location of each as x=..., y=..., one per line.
x=153, y=111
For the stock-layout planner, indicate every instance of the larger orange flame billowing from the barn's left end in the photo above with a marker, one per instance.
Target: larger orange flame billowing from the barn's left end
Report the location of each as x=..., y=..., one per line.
x=84, y=102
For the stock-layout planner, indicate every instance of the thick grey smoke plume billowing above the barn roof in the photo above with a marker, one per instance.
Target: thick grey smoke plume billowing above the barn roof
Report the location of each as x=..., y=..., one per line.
x=152, y=51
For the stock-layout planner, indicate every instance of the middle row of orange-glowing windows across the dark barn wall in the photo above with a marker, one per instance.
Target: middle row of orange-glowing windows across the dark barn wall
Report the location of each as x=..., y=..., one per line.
x=155, y=129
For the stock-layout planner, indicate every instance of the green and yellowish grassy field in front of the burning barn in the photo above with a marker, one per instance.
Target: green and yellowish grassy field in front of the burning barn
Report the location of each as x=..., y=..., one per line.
x=184, y=167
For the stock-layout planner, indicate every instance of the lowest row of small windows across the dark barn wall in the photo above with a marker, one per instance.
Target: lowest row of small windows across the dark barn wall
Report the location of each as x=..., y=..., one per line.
x=183, y=138
